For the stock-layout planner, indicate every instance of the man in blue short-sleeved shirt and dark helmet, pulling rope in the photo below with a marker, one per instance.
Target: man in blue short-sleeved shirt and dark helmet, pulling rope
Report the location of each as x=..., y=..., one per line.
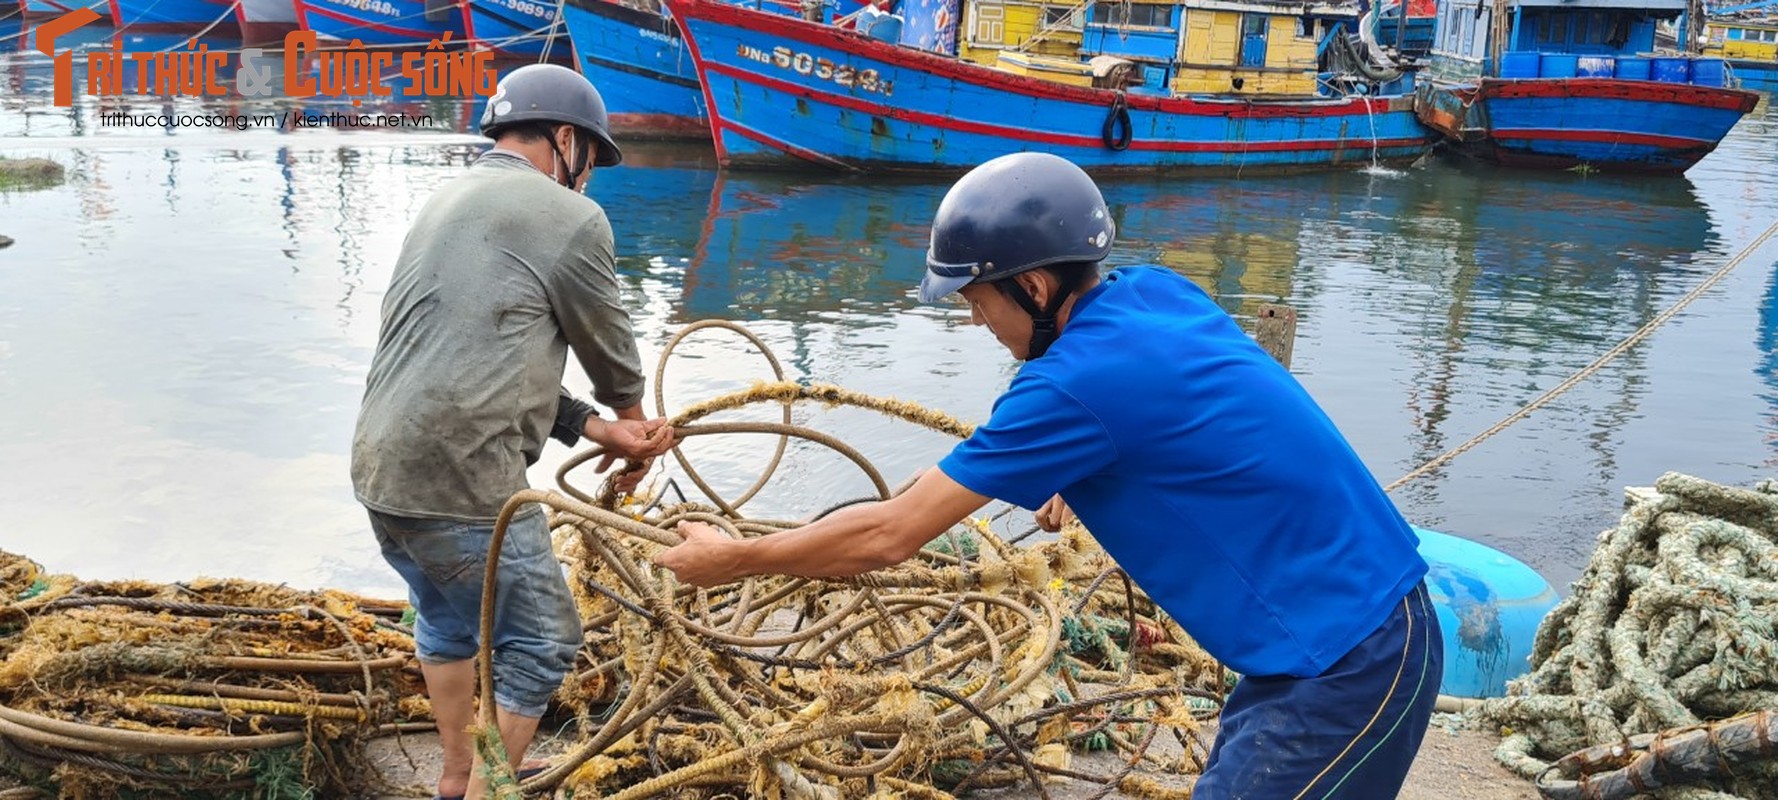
x=1196, y=460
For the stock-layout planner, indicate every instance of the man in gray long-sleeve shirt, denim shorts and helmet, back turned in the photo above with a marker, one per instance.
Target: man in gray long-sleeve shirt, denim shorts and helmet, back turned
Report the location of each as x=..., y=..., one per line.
x=504, y=271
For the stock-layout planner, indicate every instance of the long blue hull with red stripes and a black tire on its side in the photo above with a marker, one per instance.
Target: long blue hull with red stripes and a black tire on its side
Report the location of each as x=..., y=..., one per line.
x=785, y=93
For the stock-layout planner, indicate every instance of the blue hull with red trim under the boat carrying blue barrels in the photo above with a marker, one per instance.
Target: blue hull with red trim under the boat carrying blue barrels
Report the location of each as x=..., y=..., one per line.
x=1606, y=124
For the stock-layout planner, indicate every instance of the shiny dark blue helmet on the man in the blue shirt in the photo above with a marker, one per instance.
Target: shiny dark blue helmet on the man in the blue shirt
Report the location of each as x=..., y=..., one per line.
x=1014, y=214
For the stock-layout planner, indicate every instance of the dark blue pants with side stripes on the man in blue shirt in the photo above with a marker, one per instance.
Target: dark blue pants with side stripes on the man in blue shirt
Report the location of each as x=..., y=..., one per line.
x=1345, y=735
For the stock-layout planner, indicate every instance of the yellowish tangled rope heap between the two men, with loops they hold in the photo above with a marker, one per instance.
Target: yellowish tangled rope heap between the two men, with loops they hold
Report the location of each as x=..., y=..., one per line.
x=977, y=664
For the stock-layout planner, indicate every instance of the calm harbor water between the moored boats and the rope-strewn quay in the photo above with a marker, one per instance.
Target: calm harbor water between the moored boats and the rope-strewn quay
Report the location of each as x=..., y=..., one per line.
x=188, y=321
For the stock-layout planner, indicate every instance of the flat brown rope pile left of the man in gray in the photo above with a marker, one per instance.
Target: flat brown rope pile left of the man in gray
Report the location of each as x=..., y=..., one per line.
x=205, y=689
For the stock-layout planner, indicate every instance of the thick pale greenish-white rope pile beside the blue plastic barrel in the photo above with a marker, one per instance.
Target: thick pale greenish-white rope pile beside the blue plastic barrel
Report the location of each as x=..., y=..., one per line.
x=1674, y=623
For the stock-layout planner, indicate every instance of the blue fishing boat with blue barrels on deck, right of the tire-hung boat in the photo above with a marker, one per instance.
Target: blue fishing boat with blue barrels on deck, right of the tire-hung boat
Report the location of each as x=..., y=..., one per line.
x=1576, y=83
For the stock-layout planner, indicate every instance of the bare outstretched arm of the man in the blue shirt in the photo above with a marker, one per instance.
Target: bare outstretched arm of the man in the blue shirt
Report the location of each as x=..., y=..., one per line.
x=847, y=543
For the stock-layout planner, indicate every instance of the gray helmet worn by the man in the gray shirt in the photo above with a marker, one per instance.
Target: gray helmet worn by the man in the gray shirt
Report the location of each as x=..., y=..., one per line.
x=550, y=93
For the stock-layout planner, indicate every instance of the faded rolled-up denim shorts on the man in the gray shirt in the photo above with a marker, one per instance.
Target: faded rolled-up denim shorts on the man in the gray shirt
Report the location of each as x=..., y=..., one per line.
x=536, y=623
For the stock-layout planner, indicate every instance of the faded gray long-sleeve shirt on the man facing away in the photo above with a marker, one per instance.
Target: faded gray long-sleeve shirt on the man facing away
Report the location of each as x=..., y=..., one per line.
x=501, y=275
